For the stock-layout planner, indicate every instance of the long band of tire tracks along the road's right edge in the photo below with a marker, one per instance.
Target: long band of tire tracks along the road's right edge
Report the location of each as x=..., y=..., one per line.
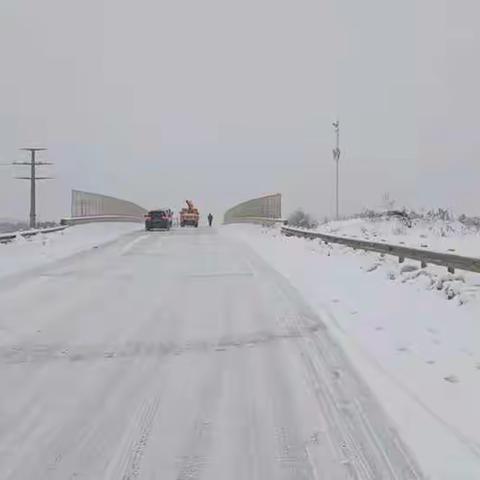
x=365, y=442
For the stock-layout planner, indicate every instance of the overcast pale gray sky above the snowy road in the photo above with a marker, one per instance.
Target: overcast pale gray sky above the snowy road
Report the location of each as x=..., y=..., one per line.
x=220, y=100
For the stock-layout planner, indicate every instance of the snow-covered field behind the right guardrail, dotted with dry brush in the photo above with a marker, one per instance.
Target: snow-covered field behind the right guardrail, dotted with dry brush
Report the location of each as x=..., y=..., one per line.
x=436, y=234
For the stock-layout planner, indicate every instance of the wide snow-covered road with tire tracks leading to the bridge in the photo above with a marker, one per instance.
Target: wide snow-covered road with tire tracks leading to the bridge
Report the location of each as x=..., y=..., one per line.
x=179, y=355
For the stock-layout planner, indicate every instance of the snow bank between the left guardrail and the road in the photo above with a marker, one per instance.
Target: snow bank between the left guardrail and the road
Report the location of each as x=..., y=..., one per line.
x=26, y=253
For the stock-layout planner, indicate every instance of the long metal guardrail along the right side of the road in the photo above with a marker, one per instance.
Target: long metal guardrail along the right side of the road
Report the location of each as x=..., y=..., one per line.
x=451, y=261
